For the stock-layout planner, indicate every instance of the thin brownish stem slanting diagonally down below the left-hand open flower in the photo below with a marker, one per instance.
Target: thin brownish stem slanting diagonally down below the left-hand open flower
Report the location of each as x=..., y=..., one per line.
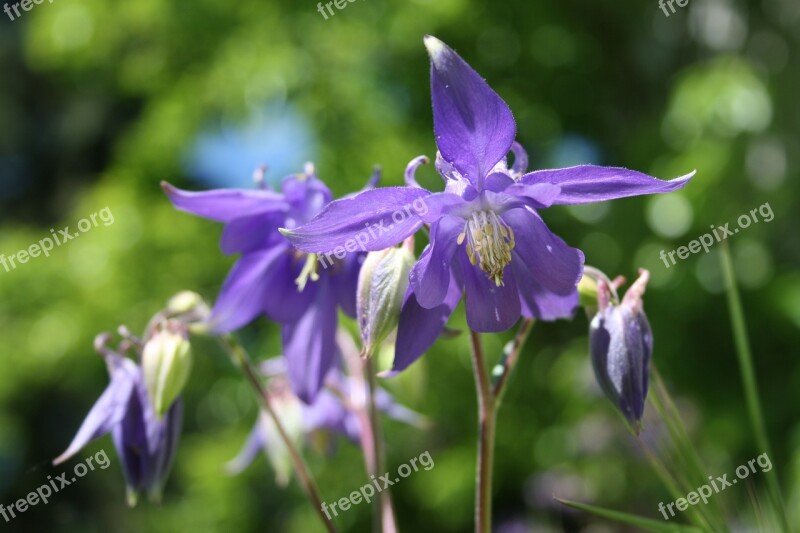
x=242, y=361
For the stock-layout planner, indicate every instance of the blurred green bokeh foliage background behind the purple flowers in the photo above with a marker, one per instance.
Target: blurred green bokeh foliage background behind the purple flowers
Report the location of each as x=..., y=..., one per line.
x=100, y=100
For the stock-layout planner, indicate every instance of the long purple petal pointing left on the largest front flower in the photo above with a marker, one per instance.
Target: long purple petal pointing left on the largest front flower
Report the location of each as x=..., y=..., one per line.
x=370, y=221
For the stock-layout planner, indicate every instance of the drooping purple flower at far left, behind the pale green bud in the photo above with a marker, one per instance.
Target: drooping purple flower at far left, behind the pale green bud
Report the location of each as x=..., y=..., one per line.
x=145, y=443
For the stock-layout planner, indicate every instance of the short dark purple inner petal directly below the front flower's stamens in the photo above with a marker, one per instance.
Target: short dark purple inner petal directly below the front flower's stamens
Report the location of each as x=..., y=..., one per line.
x=490, y=309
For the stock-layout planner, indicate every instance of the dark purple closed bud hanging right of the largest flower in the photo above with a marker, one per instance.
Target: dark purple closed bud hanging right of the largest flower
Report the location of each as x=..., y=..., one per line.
x=621, y=344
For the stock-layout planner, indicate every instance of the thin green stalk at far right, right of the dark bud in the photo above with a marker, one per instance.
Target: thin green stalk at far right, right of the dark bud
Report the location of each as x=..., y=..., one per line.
x=747, y=370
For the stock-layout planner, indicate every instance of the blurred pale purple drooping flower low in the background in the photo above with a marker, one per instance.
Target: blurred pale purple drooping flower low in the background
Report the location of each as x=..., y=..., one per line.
x=332, y=411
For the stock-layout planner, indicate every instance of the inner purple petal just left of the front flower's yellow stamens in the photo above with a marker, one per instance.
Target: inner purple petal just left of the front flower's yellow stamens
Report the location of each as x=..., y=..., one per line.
x=430, y=276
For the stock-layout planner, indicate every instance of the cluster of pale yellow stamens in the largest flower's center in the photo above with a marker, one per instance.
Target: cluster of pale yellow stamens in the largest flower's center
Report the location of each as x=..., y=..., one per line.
x=489, y=243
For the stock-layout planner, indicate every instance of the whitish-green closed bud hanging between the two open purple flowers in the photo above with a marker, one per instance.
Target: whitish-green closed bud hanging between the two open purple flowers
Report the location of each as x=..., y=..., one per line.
x=382, y=285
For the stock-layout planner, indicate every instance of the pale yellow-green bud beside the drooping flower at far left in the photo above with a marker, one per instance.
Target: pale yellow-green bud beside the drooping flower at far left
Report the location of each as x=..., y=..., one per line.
x=166, y=364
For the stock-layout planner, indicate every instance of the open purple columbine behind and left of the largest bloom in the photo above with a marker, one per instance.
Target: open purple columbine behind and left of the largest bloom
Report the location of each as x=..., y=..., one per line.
x=274, y=279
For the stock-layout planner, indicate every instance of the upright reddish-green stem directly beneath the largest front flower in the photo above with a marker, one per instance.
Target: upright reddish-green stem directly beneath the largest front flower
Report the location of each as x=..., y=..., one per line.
x=487, y=421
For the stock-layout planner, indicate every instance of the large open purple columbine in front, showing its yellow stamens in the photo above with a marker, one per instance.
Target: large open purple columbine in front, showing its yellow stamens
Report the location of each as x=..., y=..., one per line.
x=487, y=238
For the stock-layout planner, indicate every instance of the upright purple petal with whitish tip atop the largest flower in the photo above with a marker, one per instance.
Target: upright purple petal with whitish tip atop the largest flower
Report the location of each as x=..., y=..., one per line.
x=473, y=125
